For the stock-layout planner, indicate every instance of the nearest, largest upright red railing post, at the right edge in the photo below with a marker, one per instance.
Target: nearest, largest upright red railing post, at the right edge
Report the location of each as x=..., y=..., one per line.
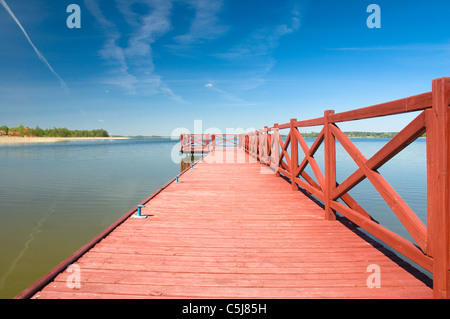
x=438, y=186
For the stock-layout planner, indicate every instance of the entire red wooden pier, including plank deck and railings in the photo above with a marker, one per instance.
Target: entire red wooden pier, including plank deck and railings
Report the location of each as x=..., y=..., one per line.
x=249, y=222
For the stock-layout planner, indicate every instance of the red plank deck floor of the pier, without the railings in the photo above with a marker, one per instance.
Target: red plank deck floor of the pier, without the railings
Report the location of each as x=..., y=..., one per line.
x=228, y=230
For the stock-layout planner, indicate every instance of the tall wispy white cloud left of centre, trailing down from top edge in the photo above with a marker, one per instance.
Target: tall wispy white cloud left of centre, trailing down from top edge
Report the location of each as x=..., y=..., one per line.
x=133, y=67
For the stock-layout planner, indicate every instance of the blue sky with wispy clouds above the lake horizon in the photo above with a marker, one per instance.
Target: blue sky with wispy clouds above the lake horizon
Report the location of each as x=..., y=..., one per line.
x=151, y=66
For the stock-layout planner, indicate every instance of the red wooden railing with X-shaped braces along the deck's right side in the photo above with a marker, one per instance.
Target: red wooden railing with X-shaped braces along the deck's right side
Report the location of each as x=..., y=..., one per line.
x=290, y=157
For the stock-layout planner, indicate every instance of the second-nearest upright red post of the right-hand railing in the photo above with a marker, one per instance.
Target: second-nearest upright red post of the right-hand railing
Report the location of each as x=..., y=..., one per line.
x=330, y=165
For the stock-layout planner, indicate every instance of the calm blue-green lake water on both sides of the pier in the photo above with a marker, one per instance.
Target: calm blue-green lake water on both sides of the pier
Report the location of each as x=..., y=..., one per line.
x=54, y=198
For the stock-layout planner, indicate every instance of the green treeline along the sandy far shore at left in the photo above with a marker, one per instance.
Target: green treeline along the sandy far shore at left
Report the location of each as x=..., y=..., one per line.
x=52, y=132
